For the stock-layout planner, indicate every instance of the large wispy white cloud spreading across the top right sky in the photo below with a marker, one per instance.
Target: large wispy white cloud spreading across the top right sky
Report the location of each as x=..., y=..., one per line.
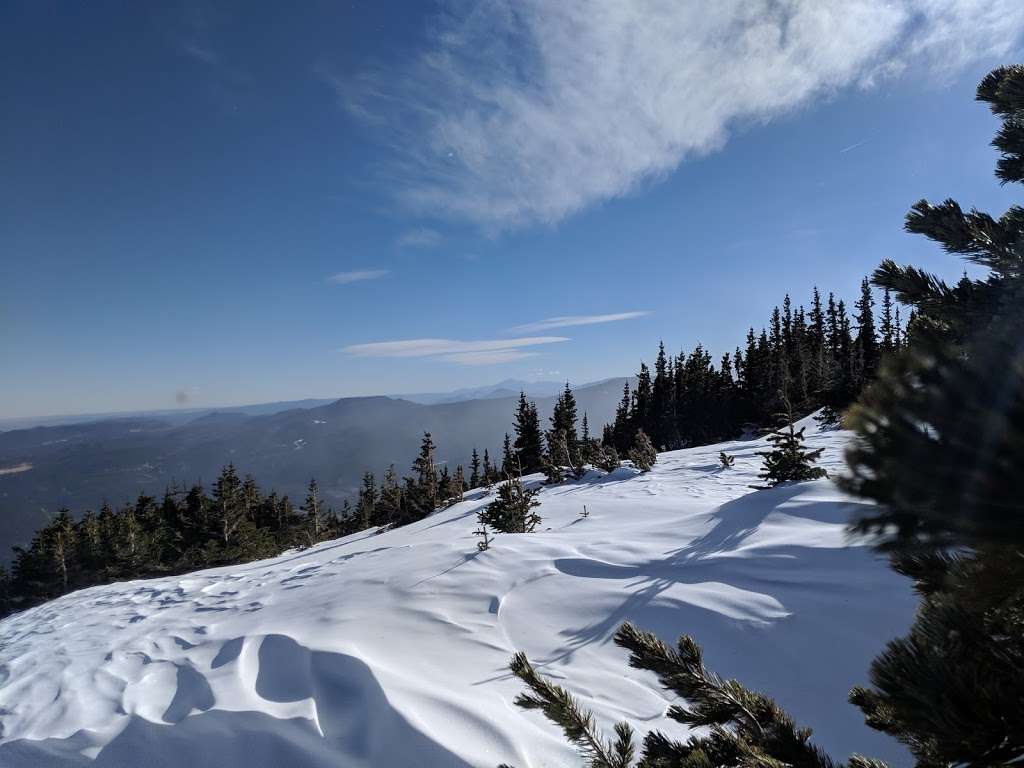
x=529, y=111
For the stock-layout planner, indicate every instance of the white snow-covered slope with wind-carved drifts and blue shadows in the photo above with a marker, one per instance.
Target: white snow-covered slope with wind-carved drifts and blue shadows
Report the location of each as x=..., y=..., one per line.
x=391, y=650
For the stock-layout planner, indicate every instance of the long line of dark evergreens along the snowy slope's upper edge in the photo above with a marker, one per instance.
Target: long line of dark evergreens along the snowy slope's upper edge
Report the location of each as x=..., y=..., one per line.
x=812, y=360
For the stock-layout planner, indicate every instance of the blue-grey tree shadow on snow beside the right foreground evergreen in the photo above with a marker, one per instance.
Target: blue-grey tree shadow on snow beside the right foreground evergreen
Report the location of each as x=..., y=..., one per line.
x=773, y=617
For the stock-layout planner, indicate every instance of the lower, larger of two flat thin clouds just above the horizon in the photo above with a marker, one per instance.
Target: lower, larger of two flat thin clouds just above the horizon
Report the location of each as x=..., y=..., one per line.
x=484, y=353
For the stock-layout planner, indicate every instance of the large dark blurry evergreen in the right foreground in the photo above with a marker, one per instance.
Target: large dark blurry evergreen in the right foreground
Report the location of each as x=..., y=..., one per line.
x=942, y=451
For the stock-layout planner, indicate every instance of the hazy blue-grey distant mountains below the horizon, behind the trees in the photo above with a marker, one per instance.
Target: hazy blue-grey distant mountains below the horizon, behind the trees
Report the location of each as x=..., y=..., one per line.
x=81, y=465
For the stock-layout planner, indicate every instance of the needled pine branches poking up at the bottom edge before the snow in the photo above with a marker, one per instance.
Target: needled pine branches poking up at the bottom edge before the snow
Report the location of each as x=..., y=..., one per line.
x=746, y=729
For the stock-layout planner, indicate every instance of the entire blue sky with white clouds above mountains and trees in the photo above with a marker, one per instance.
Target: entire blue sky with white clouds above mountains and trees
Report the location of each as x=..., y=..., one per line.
x=225, y=203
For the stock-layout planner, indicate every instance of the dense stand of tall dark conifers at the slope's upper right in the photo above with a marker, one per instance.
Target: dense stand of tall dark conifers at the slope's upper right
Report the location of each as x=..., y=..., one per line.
x=814, y=357
